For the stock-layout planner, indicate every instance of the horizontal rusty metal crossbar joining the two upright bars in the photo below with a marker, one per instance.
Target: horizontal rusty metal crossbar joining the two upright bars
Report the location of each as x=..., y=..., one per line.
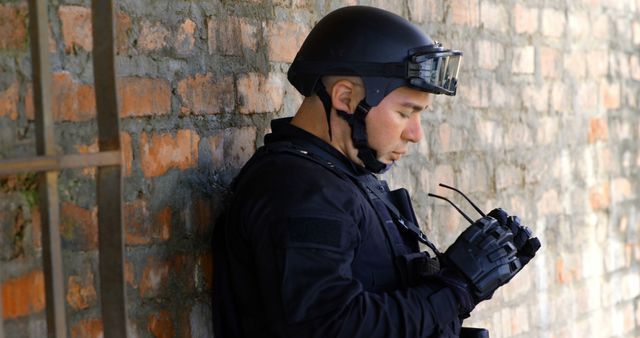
x=57, y=163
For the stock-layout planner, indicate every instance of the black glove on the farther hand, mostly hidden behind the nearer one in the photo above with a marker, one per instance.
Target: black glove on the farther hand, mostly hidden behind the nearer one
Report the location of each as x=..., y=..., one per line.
x=523, y=239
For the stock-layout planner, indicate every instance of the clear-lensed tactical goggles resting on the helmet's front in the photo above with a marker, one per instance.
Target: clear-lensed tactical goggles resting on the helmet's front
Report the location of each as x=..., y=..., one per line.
x=434, y=69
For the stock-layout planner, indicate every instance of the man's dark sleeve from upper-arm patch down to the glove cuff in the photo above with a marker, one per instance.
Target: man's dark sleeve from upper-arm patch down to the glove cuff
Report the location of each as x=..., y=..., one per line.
x=321, y=298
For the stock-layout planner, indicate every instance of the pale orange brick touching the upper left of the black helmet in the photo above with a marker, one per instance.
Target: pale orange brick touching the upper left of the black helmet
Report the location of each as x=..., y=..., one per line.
x=285, y=38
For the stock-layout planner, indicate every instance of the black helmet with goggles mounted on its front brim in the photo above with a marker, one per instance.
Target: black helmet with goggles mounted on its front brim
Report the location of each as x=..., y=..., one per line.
x=382, y=48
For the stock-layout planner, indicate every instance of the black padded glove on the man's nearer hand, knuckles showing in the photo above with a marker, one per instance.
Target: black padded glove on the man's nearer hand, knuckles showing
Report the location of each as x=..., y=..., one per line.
x=481, y=259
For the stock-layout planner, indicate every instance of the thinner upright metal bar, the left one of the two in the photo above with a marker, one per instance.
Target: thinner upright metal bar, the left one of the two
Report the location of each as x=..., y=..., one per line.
x=48, y=182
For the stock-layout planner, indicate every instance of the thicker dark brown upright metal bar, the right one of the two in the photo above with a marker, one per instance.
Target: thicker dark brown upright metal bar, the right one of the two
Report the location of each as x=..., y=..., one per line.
x=109, y=179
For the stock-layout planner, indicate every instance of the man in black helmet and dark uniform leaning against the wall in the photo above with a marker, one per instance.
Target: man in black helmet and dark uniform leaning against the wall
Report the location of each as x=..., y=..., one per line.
x=312, y=243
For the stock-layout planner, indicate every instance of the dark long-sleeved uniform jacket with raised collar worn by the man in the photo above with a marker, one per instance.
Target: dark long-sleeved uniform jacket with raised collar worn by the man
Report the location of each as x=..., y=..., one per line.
x=311, y=254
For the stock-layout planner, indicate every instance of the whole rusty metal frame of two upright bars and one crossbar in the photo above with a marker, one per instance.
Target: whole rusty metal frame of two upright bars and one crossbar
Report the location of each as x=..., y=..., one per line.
x=109, y=173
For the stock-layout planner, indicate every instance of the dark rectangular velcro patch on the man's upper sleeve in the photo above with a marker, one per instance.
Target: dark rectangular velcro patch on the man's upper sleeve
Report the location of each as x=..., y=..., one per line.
x=315, y=230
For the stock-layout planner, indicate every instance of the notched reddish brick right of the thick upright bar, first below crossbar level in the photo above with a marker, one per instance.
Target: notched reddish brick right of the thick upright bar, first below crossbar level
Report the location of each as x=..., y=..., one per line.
x=143, y=226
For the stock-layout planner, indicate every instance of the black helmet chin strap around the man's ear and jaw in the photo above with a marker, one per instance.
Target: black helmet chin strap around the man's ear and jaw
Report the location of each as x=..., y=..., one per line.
x=358, y=131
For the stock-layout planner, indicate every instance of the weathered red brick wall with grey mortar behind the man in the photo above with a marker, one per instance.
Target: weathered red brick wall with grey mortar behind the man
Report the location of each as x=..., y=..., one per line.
x=545, y=124
